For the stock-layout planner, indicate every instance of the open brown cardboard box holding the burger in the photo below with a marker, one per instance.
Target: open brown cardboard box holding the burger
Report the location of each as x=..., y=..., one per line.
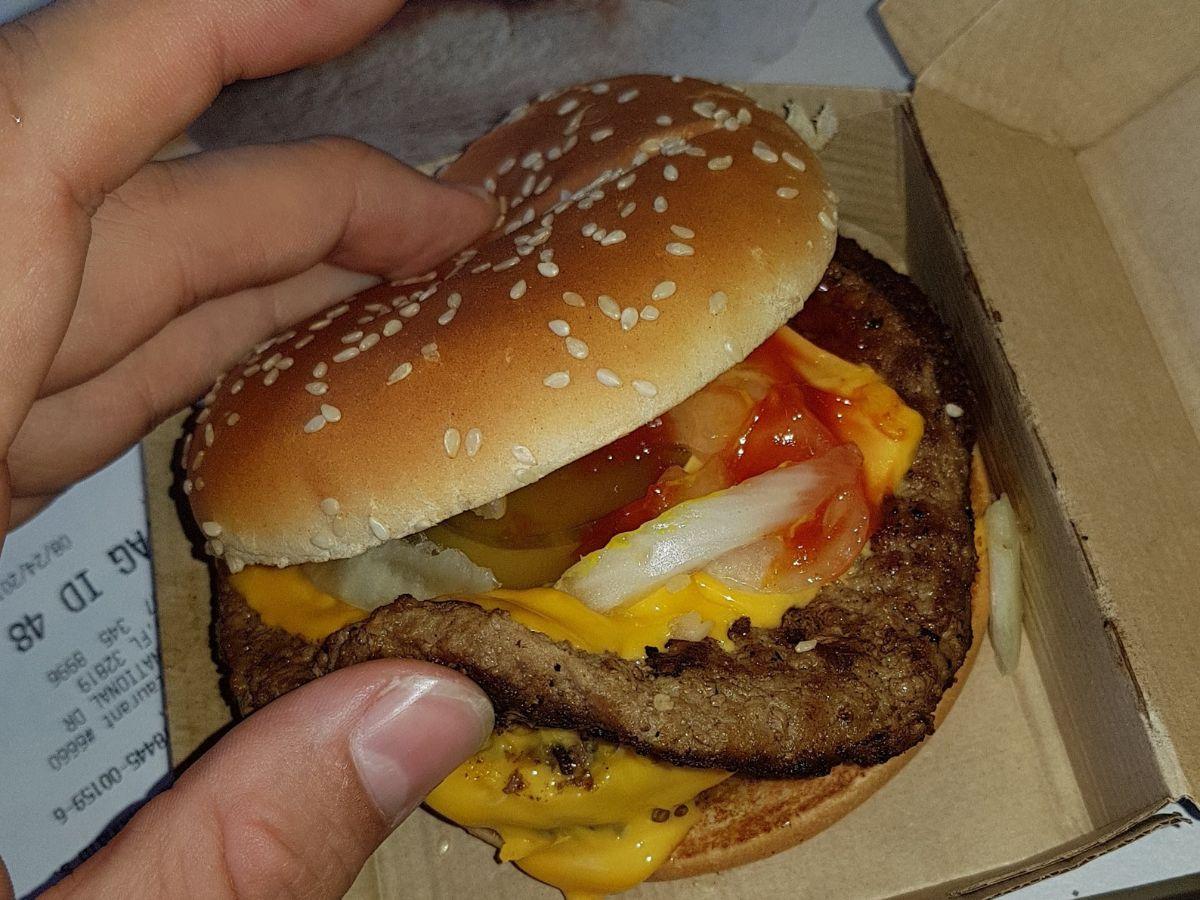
x=1042, y=184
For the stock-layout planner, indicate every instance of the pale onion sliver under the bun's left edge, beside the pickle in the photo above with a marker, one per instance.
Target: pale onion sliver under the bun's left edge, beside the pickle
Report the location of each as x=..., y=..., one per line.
x=416, y=567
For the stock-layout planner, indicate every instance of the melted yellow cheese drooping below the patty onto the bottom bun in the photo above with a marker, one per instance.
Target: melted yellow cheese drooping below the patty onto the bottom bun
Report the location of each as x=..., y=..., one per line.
x=590, y=839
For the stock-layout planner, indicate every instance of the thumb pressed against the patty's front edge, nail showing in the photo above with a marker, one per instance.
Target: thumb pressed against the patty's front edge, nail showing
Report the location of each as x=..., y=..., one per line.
x=295, y=800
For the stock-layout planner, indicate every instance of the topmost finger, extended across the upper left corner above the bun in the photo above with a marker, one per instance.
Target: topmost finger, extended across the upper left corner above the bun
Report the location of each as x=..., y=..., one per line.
x=98, y=88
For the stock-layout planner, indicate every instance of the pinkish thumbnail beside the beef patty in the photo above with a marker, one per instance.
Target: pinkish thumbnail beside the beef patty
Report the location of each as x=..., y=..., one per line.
x=413, y=735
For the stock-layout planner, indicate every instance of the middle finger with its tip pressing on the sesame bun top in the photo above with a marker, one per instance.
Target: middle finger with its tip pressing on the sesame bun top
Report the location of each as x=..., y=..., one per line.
x=209, y=225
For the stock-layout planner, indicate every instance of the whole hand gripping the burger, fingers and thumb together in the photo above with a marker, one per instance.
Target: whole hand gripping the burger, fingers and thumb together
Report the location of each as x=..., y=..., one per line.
x=128, y=287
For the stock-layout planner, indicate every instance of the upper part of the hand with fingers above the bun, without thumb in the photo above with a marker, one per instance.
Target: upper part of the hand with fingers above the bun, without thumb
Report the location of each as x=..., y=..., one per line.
x=129, y=286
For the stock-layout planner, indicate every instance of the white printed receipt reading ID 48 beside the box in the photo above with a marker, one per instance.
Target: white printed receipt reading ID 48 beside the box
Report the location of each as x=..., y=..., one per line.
x=85, y=740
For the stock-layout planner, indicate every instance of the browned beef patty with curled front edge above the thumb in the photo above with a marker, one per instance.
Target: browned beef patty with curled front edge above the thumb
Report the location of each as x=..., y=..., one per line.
x=890, y=634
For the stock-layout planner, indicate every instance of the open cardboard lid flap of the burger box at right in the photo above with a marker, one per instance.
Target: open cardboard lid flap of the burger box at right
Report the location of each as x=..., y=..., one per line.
x=1064, y=135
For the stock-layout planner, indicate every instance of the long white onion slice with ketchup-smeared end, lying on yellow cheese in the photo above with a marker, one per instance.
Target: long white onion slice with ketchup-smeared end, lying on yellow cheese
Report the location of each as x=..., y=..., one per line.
x=693, y=535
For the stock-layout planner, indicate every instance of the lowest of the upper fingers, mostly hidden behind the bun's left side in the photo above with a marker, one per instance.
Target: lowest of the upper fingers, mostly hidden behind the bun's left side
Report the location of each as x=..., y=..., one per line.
x=75, y=433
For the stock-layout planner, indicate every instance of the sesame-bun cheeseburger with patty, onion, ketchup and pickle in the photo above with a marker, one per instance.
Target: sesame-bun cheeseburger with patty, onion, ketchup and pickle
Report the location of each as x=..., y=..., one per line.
x=680, y=478
